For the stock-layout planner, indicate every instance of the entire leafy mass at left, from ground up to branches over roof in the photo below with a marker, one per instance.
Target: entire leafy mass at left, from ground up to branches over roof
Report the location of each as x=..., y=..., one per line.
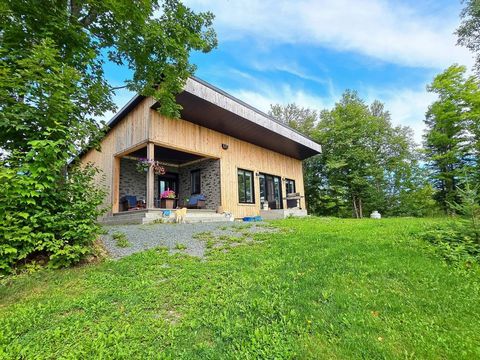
x=52, y=86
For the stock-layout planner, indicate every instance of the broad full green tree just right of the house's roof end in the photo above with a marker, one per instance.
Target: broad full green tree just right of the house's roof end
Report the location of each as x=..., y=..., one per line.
x=366, y=158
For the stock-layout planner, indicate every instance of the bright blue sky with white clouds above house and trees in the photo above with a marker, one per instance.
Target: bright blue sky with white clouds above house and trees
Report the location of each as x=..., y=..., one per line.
x=310, y=51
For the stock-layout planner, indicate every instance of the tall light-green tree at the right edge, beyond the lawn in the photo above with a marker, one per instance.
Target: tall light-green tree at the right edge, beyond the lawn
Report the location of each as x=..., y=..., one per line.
x=452, y=136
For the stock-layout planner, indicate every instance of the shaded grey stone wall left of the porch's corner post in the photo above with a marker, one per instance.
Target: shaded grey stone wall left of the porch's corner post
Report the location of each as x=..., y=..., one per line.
x=131, y=181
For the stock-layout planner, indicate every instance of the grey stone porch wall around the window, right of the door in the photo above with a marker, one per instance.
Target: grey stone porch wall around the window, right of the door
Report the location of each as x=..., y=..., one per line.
x=209, y=182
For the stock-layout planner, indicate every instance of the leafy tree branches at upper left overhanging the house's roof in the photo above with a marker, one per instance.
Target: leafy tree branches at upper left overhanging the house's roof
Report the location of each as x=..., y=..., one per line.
x=153, y=39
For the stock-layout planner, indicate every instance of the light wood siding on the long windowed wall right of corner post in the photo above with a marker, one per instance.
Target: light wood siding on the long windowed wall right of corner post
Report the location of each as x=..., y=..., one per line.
x=186, y=136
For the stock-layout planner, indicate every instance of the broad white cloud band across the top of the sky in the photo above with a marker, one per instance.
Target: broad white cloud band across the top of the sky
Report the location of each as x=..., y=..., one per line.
x=388, y=31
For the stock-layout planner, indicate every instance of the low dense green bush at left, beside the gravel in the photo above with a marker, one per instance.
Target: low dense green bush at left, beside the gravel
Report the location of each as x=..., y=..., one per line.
x=45, y=212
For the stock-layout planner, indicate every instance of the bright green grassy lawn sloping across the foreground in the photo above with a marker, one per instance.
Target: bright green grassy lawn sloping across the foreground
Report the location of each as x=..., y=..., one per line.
x=323, y=288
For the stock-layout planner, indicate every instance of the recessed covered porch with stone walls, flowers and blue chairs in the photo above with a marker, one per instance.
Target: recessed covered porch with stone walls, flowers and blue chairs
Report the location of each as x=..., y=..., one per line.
x=154, y=177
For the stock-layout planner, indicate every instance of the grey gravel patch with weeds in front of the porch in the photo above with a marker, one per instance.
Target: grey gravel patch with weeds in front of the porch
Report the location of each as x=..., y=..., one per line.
x=192, y=239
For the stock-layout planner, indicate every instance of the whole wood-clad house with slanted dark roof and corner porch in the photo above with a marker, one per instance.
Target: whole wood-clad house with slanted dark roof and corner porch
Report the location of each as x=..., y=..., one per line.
x=239, y=160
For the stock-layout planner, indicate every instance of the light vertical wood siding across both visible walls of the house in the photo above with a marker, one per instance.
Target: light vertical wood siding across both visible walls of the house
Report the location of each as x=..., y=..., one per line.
x=144, y=125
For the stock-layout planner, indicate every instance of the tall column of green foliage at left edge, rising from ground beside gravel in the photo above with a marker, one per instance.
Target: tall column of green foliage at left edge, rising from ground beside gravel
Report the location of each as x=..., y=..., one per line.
x=48, y=210
